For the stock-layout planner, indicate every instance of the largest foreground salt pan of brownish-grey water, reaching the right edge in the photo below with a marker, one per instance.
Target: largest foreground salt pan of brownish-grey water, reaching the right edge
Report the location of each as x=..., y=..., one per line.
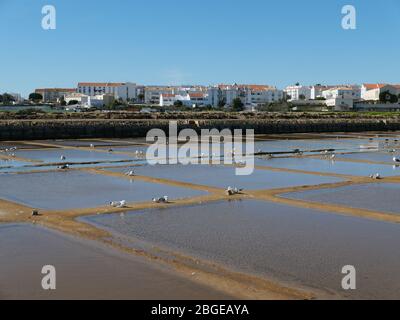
x=292, y=244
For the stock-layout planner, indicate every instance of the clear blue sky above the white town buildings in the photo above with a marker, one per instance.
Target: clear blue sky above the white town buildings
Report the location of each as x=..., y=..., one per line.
x=197, y=42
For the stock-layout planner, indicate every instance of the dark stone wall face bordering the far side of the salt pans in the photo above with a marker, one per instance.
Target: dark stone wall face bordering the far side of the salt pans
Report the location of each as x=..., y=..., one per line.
x=72, y=129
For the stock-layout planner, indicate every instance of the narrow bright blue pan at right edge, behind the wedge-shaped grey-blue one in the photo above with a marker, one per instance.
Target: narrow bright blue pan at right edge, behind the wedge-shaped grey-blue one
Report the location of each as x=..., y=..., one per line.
x=337, y=167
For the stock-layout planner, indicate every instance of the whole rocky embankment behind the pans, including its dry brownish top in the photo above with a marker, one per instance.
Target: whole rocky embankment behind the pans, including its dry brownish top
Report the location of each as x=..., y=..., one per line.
x=128, y=124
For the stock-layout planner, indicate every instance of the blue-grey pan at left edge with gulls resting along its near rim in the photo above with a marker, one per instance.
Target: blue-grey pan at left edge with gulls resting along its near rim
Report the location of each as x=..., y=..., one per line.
x=76, y=189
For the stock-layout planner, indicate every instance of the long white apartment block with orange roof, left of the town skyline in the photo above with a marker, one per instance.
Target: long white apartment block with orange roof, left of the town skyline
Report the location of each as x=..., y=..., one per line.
x=124, y=91
